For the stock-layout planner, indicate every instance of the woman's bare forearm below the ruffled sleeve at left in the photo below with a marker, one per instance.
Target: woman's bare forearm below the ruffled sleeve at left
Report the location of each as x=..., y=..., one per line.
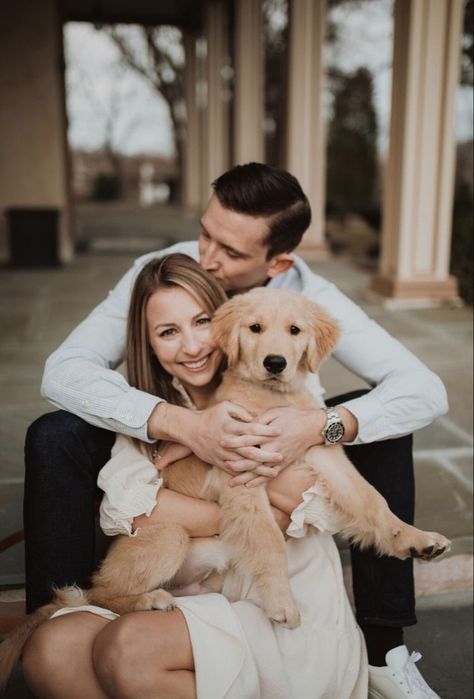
x=198, y=517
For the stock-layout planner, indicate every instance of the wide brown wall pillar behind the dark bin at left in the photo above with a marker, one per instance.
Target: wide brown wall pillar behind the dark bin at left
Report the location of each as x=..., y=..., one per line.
x=33, y=145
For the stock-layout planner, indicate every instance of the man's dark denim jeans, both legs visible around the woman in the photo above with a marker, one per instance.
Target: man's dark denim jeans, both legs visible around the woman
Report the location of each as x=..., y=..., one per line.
x=63, y=455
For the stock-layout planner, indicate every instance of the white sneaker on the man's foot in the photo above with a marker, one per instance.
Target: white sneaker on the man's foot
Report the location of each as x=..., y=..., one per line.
x=399, y=678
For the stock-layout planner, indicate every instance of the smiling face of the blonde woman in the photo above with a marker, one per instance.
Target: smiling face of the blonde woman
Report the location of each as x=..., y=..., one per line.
x=180, y=335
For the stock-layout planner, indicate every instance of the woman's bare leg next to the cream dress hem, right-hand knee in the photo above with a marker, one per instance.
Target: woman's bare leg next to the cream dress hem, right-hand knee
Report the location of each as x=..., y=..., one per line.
x=147, y=655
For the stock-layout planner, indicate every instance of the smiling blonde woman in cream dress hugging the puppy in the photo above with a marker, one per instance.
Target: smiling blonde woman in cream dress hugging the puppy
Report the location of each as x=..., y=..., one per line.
x=206, y=647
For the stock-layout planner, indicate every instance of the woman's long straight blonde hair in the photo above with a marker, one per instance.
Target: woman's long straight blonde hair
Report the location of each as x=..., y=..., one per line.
x=143, y=368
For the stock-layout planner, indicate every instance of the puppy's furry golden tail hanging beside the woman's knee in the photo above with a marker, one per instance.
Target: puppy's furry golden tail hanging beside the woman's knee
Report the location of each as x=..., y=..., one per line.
x=12, y=647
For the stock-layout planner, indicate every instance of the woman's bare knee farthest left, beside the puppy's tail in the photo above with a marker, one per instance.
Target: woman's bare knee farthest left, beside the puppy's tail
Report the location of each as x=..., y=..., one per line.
x=57, y=661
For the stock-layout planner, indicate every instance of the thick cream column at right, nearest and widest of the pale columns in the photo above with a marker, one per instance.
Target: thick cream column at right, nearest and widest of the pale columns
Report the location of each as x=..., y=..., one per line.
x=419, y=179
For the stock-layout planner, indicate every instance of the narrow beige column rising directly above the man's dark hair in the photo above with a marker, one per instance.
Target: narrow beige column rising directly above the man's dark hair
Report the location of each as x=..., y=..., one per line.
x=248, y=141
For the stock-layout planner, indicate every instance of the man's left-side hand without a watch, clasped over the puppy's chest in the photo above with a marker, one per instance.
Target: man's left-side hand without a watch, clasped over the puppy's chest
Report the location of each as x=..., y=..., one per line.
x=210, y=433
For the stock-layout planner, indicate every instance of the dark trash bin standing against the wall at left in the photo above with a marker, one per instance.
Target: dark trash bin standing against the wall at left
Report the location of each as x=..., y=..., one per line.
x=33, y=234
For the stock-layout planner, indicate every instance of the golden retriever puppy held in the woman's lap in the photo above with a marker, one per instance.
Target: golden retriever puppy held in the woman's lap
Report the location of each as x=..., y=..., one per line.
x=272, y=339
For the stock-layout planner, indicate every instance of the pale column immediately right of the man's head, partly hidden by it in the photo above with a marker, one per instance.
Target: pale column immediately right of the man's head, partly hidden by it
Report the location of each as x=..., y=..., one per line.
x=306, y=142
